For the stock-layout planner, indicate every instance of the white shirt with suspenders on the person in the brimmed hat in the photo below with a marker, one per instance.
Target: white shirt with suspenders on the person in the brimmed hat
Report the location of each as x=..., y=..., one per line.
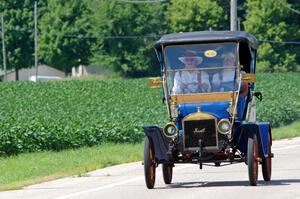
x=189, y=82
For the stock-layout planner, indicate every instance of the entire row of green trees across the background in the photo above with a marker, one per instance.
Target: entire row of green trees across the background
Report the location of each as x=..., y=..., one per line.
x=119, y=36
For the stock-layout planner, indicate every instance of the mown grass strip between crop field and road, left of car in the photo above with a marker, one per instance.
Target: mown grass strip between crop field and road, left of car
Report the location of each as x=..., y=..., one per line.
x=32, y=168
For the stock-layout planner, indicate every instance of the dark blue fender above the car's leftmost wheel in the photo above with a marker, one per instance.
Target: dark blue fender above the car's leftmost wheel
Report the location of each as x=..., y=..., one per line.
x=160, y=142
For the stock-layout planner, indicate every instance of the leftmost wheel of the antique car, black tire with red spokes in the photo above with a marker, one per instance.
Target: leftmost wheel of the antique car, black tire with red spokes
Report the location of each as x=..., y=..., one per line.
x=149, y=163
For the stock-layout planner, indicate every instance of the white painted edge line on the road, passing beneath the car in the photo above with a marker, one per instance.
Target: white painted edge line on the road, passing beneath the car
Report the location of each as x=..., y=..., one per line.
x=113, y=184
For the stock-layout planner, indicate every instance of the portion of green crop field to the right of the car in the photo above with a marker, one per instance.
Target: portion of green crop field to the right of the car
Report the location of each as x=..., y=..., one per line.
x=281, y=94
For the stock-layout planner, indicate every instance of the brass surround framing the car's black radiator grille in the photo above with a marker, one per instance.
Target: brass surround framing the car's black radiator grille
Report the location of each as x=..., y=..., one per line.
x=199, y=116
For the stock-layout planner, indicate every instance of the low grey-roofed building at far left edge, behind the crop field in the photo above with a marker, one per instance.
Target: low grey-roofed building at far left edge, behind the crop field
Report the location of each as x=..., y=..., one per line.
x=44, y=73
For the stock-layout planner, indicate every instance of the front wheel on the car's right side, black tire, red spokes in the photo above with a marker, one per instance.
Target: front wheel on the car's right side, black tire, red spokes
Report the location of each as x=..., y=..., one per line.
x=252, y=160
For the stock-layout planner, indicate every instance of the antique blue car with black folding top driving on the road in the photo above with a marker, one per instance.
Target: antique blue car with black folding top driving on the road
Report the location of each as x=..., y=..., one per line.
x=208, y=84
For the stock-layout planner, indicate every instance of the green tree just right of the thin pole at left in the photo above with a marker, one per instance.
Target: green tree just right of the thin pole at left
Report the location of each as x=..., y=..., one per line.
x=63, y=26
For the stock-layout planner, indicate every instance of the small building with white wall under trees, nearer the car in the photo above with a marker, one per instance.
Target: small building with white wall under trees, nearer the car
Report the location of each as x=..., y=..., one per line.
x=87, y=70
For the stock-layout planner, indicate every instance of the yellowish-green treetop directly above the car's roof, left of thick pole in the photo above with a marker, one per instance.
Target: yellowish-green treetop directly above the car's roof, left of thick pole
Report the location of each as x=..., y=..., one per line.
x=194, y=15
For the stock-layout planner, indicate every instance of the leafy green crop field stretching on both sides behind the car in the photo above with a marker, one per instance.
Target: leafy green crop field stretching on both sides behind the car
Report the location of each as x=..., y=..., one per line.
x=75, y=113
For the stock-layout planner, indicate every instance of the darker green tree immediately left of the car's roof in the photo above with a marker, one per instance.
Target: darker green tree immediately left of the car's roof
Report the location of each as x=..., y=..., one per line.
x=129, y=56
